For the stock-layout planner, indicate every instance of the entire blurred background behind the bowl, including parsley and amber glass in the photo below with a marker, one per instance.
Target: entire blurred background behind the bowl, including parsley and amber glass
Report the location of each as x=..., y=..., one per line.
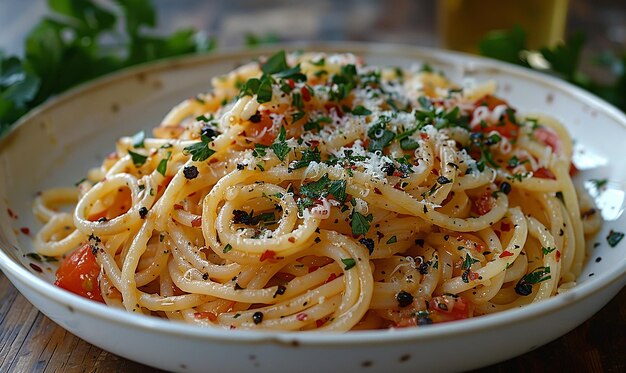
x=61, y=43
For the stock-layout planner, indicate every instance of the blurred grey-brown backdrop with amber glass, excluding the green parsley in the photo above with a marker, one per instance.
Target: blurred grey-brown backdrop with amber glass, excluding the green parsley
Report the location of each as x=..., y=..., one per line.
x=416, y=22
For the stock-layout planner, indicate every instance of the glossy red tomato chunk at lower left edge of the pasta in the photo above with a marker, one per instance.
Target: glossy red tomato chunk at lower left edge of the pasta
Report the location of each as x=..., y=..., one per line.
x=79, y=274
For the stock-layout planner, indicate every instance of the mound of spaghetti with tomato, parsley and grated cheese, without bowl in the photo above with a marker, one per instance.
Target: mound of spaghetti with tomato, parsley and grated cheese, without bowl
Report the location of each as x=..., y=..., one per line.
x=311, y=191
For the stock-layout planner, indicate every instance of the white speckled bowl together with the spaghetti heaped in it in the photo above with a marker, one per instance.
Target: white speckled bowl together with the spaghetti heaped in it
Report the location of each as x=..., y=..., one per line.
x=377, y=206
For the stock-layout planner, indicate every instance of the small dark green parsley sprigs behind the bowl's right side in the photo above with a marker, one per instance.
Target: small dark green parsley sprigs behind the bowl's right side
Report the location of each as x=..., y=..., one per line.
x=563, y=60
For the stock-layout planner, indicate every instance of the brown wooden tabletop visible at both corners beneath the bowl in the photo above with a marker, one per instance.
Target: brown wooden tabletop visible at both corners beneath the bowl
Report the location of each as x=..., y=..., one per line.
x=30, y=342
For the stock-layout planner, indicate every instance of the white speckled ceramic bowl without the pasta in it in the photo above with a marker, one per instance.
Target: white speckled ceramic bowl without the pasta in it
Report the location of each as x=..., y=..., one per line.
x=57, y=143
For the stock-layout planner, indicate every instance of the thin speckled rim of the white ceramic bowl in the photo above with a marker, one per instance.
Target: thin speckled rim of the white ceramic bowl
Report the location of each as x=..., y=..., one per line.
x=448, y=330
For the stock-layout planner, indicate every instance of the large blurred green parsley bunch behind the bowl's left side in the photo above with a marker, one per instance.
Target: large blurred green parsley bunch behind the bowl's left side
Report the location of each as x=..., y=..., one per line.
x=80, y=41
